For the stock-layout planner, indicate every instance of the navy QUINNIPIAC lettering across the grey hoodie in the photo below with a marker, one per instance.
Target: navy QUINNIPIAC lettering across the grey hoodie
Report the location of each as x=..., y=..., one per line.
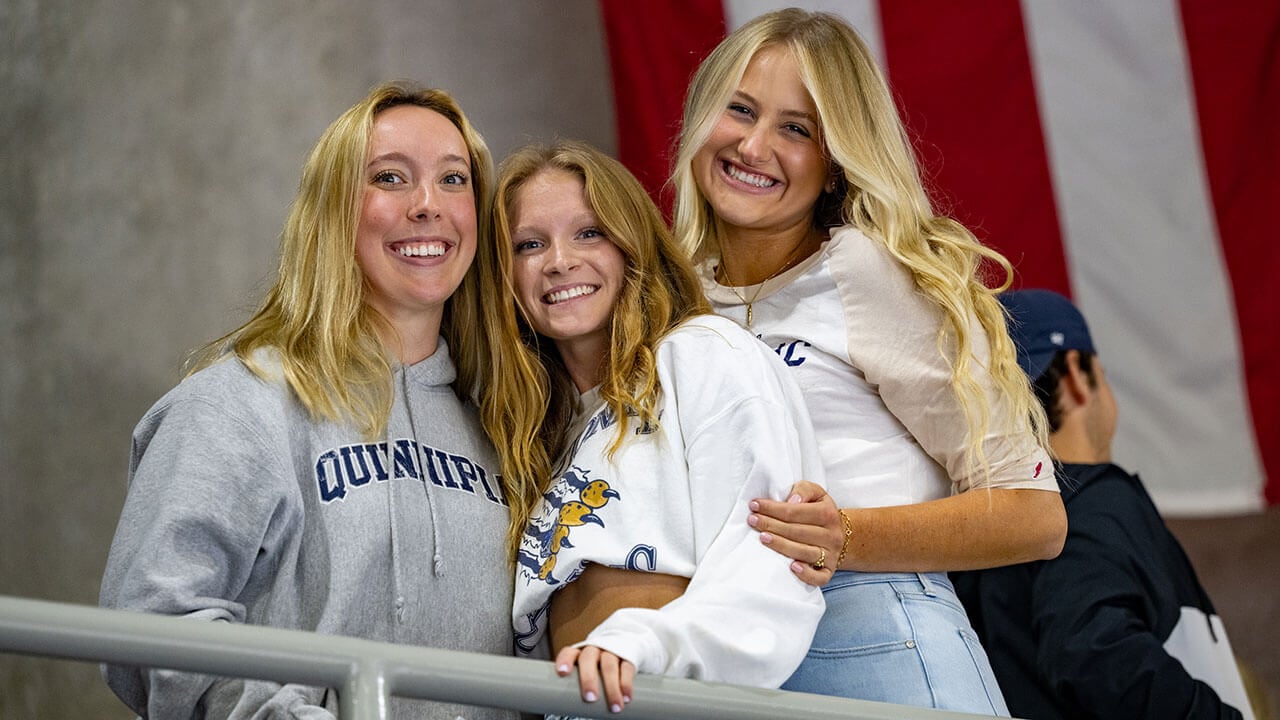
x=350, y=468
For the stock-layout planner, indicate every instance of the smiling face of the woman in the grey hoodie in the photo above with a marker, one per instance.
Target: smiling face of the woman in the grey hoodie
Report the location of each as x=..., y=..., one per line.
x=418, y=220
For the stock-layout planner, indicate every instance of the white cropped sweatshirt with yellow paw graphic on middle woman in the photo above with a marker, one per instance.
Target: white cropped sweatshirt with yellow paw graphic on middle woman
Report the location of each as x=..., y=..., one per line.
x=733, y=427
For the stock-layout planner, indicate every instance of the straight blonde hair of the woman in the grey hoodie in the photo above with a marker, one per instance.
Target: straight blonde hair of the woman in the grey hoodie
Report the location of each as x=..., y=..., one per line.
x=316, y=317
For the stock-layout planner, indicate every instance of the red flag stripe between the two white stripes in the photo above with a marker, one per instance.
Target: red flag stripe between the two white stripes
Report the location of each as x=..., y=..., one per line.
x=966, y=90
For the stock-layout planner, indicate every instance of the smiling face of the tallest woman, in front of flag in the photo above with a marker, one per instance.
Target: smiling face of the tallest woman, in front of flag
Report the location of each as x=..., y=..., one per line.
x=764, y=166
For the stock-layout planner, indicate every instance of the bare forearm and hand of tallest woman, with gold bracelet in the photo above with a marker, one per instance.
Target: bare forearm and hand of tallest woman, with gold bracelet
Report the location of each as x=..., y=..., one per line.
x=964, y=532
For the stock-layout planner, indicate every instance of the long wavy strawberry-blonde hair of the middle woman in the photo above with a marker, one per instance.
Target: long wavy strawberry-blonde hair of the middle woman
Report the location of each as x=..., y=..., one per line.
x=527, y=399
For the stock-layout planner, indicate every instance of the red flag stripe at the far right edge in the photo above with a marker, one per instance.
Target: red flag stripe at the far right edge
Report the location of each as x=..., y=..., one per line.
x=1235, y=54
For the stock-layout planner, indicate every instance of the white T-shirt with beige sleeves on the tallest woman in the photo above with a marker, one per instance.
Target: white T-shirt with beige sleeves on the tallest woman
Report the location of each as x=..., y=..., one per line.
x=863, y=344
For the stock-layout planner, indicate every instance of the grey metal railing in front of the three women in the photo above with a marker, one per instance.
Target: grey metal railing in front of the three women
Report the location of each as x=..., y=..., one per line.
x=368, y=673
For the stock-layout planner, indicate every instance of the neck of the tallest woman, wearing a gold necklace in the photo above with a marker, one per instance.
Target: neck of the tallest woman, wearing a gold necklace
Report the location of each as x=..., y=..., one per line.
x=755, y=257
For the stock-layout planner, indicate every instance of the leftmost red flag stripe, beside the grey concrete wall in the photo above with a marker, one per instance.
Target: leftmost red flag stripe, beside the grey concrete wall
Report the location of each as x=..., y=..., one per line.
x=655, y=49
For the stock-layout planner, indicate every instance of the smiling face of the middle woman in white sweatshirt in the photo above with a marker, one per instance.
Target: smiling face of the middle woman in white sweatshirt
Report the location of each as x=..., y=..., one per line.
x=566, y=271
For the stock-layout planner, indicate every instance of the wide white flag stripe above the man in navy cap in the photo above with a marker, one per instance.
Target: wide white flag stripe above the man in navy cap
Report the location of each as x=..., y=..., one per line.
x=1142, y=247
